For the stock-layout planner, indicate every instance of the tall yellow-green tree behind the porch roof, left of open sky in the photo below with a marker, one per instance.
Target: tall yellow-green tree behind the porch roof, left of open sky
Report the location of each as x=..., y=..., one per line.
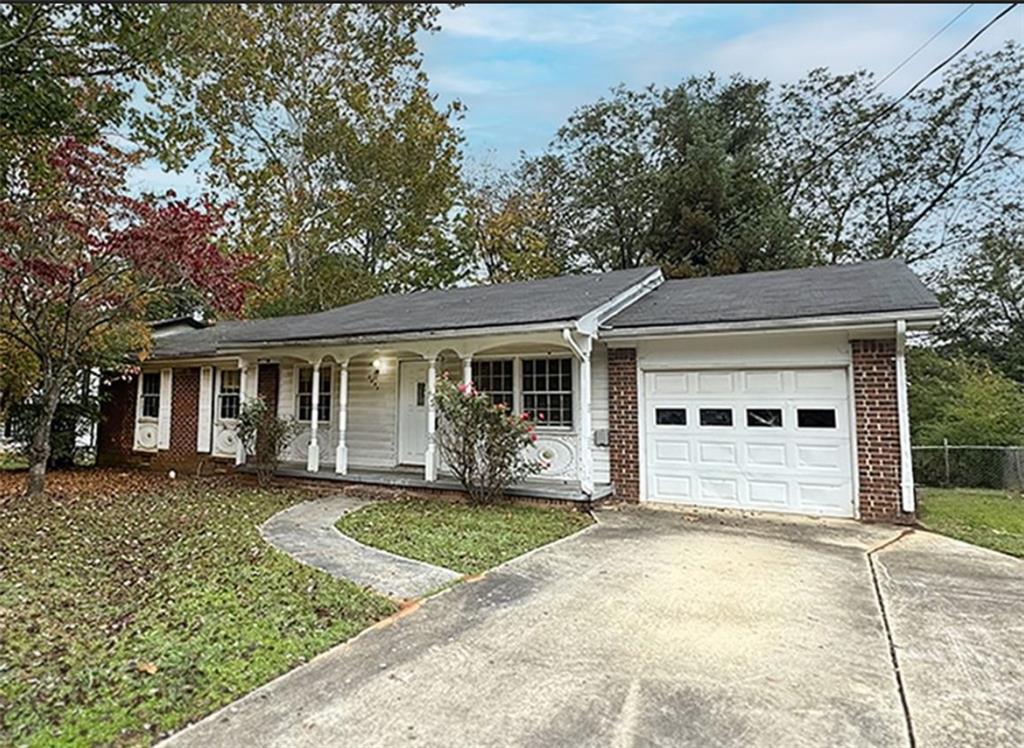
x=318, y=121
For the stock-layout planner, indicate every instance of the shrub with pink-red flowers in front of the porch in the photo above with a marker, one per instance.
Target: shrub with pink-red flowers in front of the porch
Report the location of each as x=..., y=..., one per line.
x=484, y=445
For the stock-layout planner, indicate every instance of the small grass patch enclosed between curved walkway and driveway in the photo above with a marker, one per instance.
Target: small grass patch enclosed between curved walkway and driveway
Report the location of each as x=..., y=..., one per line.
x=467, y=539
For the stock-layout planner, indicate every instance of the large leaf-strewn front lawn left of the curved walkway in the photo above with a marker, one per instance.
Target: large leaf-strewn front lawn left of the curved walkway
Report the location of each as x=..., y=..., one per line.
x=131, y=606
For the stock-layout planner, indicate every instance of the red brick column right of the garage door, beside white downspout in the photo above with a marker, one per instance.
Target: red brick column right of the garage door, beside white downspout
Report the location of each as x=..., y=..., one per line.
x=878, y=431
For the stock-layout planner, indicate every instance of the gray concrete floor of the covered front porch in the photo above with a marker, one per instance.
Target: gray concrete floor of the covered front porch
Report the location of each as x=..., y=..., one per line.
x=412, y=478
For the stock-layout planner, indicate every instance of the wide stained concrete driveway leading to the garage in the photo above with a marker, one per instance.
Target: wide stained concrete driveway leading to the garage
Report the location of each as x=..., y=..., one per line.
x=661, y=629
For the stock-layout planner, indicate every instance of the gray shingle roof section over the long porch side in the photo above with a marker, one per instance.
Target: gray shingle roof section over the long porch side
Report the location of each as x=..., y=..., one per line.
x=550, y=300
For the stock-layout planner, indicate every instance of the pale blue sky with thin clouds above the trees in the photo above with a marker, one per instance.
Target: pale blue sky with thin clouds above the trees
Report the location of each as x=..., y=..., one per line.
x=522, y=70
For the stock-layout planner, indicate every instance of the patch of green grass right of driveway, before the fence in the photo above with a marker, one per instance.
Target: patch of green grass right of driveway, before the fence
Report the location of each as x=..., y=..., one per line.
x=992, y=519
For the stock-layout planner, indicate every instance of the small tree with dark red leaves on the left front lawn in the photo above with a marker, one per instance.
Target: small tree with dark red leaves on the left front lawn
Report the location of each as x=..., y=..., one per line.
x=80, y=261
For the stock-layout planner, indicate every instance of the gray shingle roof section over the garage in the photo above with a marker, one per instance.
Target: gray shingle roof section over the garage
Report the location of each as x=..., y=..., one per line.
x=848, y=289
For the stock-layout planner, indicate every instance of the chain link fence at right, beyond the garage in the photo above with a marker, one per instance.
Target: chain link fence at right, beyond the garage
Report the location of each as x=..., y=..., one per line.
x=970, y=467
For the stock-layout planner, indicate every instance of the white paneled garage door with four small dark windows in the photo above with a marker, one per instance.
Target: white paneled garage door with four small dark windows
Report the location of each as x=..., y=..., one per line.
x=769, y=440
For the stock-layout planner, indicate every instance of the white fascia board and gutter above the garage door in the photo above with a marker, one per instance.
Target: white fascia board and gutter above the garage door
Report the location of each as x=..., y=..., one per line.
x=920, y=320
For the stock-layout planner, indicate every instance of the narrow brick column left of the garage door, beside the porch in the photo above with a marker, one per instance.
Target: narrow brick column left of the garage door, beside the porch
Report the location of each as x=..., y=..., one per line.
x=623, y=435
